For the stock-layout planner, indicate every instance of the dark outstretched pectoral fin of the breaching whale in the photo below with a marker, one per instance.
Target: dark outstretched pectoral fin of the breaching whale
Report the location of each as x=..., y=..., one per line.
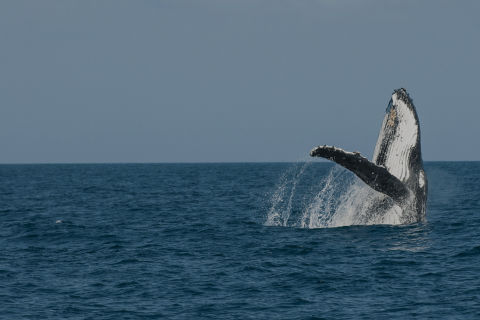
x=377, y=177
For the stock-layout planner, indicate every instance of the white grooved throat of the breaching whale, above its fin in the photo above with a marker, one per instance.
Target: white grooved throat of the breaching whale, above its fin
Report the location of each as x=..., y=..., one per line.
x=400, y=147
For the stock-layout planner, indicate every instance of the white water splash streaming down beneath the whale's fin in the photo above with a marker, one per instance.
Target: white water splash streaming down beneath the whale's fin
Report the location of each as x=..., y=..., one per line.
x=340, y=199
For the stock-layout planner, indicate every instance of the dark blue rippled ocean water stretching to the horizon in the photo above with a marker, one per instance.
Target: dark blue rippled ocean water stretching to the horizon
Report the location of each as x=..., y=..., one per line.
x=229, y=241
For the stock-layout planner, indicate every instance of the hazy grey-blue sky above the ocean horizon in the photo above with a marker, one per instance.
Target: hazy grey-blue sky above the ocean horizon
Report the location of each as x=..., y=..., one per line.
x=232, y=80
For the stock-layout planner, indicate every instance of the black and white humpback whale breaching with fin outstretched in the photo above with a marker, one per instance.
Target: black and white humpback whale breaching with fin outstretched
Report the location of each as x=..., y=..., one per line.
x=396, y=170
